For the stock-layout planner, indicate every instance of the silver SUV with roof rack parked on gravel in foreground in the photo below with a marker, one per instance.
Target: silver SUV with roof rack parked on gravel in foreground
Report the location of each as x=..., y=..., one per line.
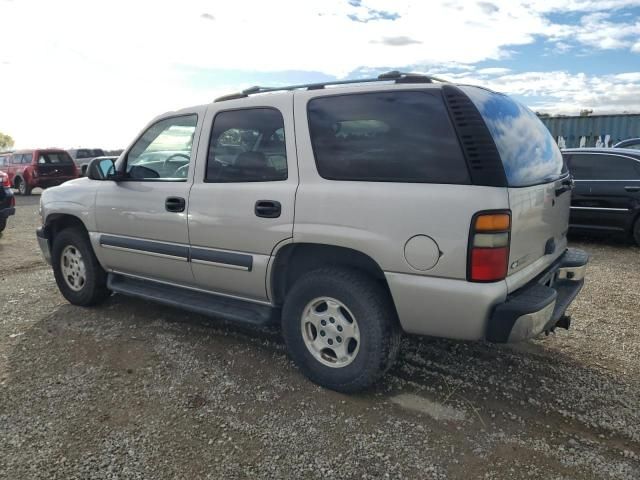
x=349, y=213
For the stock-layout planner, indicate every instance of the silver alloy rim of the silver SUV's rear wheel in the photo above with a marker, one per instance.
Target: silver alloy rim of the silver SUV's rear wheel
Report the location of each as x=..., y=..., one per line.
x=330, y=332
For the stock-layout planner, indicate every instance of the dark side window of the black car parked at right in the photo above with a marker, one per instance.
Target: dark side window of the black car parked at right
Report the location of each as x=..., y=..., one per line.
x=603, y=167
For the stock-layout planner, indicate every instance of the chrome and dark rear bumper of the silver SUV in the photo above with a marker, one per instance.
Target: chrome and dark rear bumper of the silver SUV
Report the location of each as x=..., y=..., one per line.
x=540, y=305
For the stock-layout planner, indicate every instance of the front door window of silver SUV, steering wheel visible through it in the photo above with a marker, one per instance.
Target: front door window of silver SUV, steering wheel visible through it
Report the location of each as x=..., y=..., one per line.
x=163, y=152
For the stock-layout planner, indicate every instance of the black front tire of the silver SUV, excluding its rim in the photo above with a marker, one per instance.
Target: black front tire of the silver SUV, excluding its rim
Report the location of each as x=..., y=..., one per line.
x=94, y=288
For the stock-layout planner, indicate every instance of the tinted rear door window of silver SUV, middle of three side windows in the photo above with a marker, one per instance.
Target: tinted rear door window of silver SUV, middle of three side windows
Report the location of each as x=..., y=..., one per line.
x=247, y=146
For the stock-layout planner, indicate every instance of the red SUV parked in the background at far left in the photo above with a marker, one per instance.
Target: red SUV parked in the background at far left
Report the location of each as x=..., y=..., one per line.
x=29, y=169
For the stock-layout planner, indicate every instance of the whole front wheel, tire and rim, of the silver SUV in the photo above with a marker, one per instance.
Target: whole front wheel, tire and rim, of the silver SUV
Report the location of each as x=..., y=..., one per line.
x=79, y=276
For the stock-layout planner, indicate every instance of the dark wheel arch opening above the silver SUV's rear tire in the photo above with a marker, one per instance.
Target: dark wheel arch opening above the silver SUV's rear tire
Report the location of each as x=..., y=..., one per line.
x=295, y=259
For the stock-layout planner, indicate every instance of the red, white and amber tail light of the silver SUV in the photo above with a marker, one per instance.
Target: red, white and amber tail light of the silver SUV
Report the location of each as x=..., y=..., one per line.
x=489, y=241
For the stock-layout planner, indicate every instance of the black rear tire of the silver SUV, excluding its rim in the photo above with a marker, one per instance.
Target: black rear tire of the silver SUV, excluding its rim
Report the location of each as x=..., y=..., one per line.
x=377, y=323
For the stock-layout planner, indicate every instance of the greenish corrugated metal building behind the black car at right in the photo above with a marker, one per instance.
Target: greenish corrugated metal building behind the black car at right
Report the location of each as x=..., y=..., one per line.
x=593, y=127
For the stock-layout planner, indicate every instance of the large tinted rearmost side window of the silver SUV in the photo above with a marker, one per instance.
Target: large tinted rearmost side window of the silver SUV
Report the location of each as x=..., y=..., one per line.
x=385, y=137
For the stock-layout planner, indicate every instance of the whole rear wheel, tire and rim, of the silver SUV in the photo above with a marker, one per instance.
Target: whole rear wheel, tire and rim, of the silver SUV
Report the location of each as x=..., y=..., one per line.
x=341, y=328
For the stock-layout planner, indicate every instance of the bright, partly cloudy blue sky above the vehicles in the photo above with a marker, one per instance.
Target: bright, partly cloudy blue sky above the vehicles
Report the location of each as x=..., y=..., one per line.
x=97, y=72
